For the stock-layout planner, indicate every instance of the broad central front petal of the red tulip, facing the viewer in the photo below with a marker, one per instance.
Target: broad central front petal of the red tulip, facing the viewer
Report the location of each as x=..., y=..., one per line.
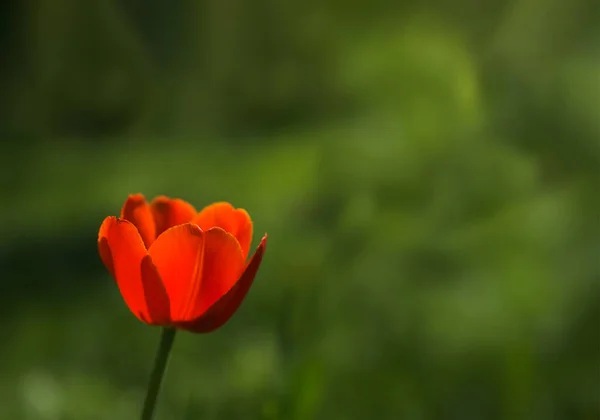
x=197, y=267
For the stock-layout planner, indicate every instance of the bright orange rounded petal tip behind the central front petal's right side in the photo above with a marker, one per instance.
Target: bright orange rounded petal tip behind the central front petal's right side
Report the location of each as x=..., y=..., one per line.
x=232, y=220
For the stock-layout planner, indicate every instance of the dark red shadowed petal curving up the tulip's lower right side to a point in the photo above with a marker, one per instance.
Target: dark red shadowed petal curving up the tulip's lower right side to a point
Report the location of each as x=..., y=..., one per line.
x=220, y=312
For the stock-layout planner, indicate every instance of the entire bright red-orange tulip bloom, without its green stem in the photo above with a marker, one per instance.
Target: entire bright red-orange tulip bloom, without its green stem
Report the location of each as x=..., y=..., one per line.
x=177, y=267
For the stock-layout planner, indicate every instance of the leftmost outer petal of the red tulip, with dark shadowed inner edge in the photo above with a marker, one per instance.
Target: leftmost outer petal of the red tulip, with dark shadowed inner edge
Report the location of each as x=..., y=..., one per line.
x=137, y=278
